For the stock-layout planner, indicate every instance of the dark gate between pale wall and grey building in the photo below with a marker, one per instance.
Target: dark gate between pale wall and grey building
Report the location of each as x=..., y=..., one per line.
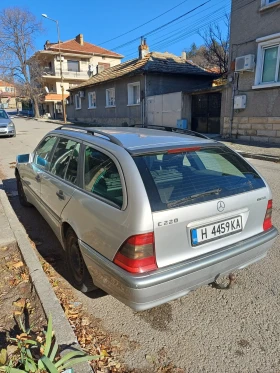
x=206, y=112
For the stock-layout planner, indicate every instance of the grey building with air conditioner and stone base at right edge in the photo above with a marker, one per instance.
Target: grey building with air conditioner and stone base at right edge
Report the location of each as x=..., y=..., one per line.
x=251, y=104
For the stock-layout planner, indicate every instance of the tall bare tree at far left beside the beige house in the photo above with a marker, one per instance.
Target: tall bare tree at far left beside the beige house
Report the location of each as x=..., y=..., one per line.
x=18, y=29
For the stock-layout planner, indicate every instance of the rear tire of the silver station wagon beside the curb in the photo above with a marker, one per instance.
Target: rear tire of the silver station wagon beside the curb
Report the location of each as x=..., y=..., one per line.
x=76, y=267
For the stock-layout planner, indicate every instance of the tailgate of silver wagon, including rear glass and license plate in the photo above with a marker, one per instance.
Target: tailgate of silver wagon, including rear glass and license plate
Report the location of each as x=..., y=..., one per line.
x=202, y=199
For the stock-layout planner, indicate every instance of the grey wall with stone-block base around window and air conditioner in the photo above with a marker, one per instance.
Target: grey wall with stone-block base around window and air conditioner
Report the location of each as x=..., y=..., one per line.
x=260, y=120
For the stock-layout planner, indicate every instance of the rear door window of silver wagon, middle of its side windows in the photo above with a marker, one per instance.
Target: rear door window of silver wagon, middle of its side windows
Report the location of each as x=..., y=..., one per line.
x=61, y=157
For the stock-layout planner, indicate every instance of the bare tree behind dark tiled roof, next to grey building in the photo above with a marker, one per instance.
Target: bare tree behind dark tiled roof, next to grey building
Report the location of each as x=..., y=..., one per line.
x=216, y=45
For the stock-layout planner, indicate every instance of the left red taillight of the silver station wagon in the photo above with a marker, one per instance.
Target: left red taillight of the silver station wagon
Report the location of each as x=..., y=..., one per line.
x=137, y=254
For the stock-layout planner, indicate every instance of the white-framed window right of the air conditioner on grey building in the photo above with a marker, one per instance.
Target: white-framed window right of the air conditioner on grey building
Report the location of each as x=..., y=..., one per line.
x=268, y=63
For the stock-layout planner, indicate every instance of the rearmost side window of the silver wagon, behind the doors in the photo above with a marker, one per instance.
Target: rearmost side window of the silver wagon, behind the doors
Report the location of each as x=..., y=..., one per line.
x=101, y=176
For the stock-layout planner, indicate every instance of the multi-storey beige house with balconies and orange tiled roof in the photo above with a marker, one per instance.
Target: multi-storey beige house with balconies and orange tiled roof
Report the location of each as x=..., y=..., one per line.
x=80, y=60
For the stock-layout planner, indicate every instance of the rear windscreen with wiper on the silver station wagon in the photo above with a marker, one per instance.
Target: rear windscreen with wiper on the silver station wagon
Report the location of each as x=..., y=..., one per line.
x=179, y=178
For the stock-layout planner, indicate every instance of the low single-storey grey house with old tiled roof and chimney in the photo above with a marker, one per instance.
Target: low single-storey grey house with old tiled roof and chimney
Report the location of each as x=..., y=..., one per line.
x=120, y=95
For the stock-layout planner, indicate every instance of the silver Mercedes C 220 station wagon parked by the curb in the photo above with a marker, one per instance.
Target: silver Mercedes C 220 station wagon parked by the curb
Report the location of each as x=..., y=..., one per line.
x=146, y=214
